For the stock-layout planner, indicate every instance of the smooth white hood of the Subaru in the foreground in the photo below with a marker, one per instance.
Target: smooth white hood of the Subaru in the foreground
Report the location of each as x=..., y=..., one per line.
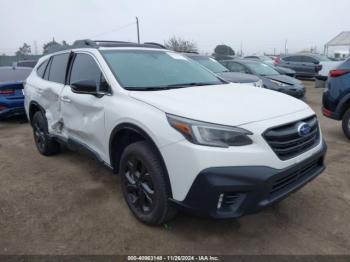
x=228, y=104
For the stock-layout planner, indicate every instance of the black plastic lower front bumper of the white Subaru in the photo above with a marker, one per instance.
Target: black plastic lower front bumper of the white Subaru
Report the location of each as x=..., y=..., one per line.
x=247, y=189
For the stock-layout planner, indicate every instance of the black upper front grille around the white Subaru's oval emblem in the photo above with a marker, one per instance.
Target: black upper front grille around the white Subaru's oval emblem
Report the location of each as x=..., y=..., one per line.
x=286, y=141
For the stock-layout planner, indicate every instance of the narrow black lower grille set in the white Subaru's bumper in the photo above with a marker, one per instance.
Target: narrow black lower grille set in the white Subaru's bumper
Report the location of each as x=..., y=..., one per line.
x=290, y=180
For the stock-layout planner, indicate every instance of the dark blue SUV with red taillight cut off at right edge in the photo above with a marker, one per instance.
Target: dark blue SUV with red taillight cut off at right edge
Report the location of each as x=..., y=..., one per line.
x=336, y=98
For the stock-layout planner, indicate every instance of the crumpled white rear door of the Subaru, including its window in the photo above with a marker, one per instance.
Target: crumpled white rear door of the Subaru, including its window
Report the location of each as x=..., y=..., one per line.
x=49, y=91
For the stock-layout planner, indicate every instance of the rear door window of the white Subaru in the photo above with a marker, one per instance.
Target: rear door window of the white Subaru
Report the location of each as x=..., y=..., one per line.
x=58, y=68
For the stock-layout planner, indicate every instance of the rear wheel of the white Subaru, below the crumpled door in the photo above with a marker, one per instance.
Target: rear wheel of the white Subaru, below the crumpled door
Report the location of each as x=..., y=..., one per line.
x=44, y=143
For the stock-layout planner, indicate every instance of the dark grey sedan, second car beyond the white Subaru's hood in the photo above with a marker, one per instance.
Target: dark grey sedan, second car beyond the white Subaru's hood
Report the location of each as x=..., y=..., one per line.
x=271, y=78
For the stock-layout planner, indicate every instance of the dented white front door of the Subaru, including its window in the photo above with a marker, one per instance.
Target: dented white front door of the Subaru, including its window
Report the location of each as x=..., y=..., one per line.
x=83, y=114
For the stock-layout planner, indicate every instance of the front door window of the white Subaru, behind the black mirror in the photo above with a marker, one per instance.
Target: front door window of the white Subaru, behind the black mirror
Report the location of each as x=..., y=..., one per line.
x=85, y=68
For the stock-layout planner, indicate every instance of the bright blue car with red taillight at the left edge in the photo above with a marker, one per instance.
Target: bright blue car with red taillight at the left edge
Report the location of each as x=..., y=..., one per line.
x=11, y=87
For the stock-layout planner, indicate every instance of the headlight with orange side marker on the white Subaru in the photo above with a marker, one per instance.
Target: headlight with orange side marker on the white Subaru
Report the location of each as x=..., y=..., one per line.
x=207, y=134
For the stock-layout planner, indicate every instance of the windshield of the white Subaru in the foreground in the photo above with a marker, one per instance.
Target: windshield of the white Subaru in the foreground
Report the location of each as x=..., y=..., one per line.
x=153, y=69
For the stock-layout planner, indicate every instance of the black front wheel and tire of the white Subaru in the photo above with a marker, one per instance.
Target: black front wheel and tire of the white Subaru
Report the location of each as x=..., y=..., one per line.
x=144, y=184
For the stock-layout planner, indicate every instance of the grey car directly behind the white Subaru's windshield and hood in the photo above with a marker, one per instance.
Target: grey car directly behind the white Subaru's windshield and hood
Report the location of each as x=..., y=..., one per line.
x=223, y=72
